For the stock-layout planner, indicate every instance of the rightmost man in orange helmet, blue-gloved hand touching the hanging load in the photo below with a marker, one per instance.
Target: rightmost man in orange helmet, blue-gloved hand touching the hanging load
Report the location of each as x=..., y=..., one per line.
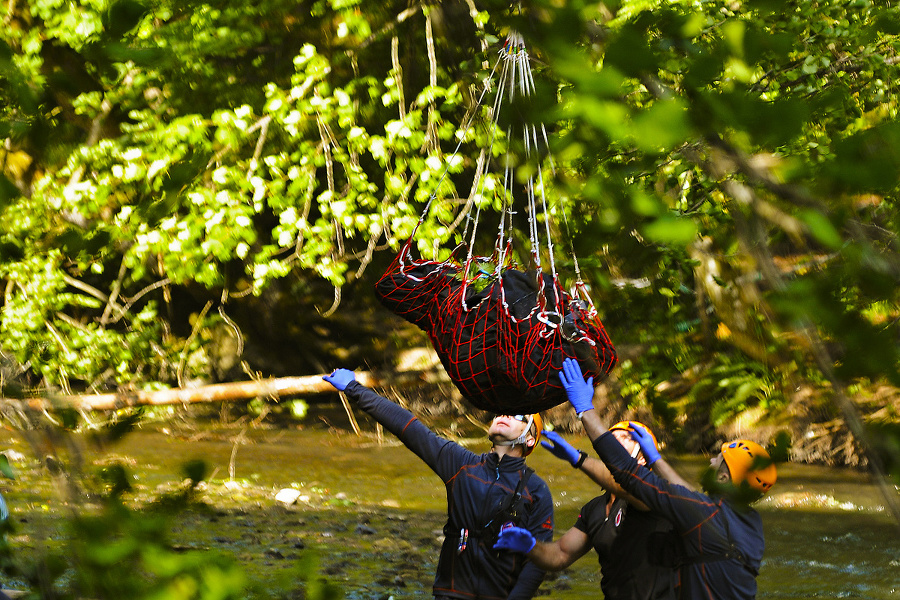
x=718, y=546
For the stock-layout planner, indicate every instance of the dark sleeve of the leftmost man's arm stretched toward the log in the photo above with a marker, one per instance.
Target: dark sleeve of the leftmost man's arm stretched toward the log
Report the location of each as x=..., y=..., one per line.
x=441, y=455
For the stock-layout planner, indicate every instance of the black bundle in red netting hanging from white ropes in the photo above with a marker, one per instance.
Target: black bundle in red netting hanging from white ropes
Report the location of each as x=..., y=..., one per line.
x=502, y=335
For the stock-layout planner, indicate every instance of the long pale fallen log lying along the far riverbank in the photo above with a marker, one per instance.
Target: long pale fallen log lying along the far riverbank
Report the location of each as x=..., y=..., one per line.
x=219, y=392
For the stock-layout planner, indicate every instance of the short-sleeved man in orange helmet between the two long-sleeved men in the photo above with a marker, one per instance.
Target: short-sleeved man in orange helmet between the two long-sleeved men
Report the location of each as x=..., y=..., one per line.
x=615, y=524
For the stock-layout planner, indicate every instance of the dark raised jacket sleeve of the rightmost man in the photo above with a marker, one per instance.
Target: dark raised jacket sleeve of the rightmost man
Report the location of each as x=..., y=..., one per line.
x=683, y=507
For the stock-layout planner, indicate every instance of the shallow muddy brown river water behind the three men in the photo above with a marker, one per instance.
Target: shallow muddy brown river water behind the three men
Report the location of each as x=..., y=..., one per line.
x=373, y=512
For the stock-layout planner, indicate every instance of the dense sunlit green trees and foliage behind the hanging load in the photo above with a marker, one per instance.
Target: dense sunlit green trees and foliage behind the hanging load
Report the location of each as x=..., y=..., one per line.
x=206, y=191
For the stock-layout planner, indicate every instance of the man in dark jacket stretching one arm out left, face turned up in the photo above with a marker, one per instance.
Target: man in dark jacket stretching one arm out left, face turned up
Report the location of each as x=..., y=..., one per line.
x=485, y=492
